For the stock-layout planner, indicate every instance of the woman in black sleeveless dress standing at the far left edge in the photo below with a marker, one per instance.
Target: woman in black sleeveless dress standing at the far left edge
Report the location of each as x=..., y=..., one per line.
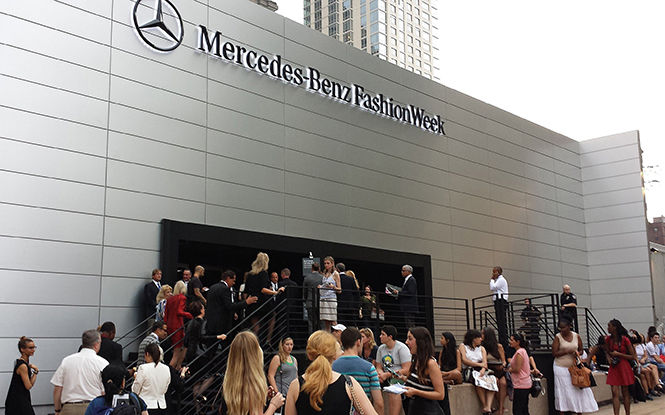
x=24, y=377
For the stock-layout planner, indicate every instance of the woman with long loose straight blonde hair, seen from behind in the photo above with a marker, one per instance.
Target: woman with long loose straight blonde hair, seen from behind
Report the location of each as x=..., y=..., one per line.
x=244, y=386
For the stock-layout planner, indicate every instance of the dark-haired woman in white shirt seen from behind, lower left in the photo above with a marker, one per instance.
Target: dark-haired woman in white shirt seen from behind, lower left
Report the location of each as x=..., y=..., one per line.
x=152, y=381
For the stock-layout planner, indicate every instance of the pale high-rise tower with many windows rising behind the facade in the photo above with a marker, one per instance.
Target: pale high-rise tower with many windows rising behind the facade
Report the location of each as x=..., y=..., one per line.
x=400, y=31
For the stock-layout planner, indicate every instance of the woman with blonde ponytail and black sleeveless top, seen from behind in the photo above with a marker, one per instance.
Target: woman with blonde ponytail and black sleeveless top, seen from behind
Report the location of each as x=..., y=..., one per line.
x=321, y=390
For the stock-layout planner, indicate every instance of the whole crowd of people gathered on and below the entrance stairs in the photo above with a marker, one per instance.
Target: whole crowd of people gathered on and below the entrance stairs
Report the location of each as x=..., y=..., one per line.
x=347, y=368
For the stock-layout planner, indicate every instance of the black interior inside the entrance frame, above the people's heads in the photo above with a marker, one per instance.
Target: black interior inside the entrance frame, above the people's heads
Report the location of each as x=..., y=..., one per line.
x=216, y=258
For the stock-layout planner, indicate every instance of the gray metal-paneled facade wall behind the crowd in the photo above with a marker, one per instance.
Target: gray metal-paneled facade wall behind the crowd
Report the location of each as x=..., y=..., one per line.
x=101, y=138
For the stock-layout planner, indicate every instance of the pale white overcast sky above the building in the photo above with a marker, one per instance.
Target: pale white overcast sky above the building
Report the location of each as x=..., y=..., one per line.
x=584, y=68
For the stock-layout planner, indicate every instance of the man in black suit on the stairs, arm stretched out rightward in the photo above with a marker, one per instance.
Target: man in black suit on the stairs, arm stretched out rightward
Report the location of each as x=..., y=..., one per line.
x=223, y=305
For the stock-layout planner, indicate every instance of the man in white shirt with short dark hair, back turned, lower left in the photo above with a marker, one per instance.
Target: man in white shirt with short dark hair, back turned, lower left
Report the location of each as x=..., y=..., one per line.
x=78, y=379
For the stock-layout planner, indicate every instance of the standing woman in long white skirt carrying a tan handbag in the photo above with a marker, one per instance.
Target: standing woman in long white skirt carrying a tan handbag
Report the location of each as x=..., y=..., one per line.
x=567, y=345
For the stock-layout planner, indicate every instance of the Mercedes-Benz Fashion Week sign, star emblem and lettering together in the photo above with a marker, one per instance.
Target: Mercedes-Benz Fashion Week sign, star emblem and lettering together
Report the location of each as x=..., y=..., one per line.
x=162, y=30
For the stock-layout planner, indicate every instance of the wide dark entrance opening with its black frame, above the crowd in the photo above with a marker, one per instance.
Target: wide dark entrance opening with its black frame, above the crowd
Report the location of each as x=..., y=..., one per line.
x=185, y=245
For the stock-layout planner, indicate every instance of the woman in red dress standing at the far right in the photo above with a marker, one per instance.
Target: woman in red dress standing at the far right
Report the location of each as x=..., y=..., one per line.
x=620, y=352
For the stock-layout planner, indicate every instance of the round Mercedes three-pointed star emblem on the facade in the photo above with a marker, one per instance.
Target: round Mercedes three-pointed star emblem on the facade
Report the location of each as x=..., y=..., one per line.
x=161, y=26
